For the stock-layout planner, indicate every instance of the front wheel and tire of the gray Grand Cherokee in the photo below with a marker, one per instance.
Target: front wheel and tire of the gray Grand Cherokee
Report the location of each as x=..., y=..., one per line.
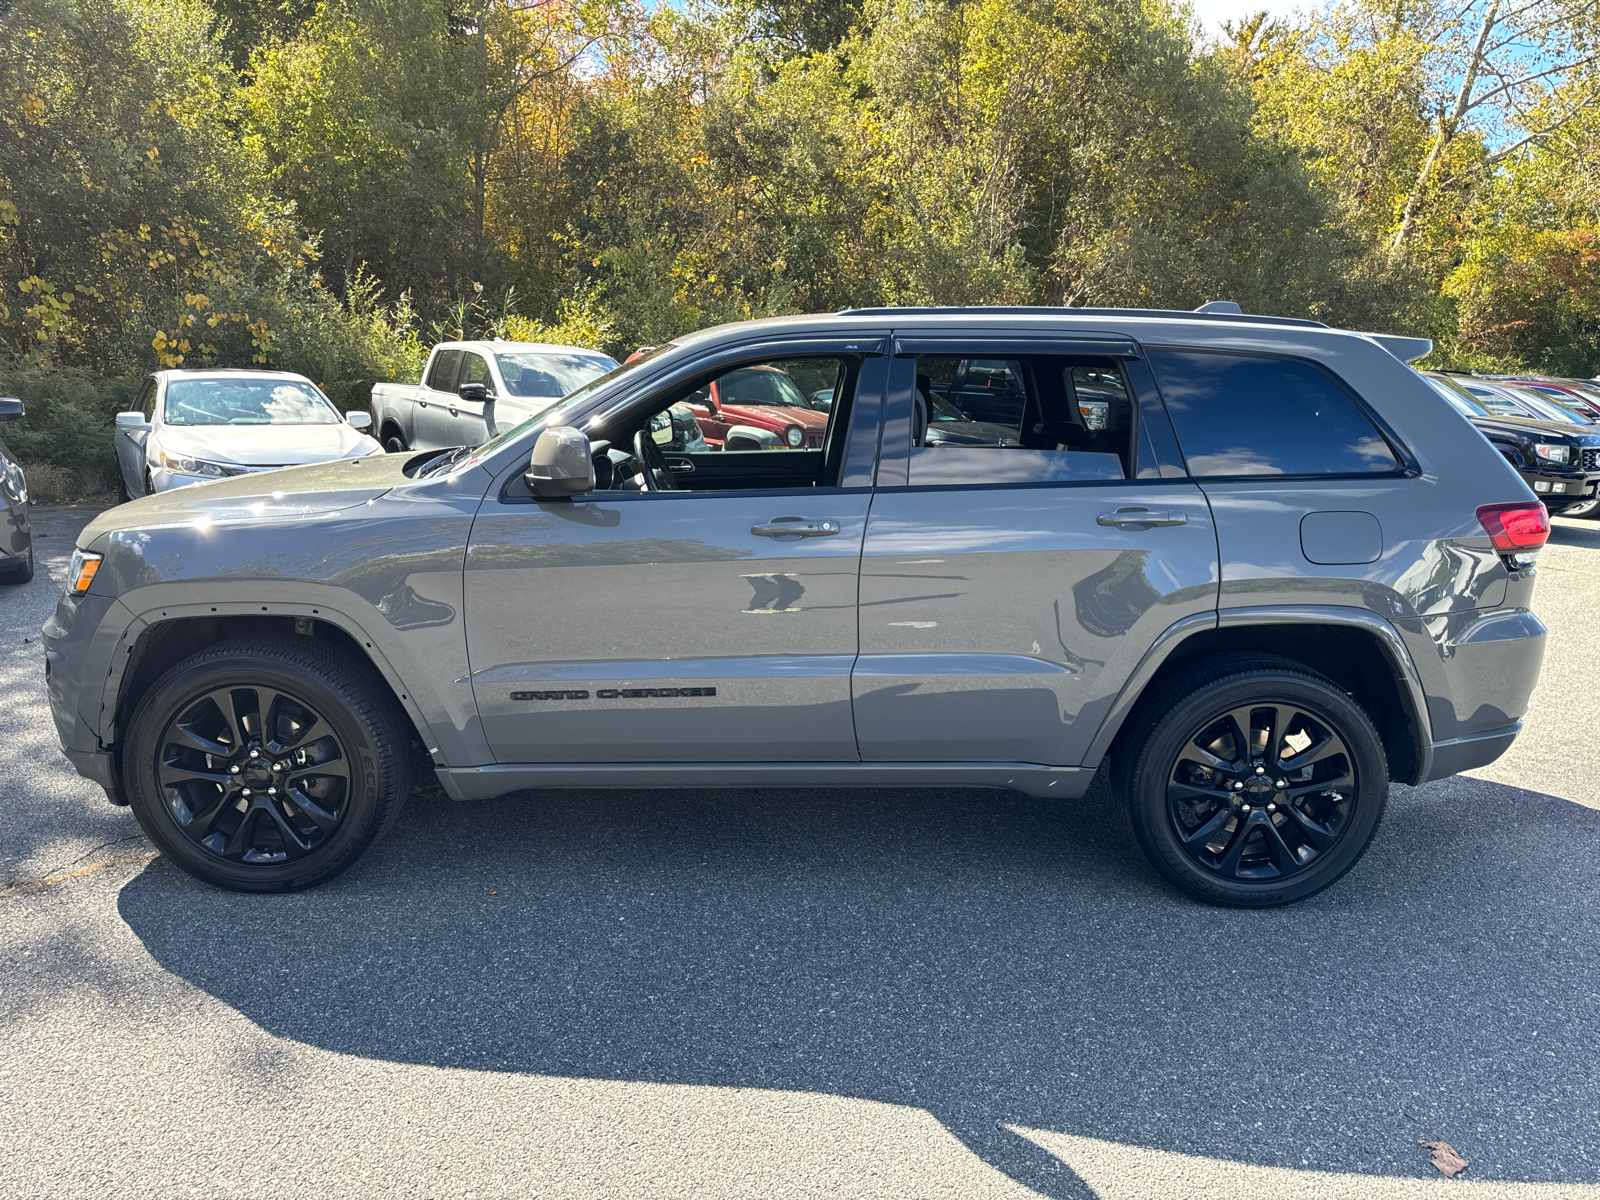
x=322, y=710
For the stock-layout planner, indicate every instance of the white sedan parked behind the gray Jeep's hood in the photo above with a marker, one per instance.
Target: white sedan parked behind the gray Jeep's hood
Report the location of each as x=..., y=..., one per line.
x=198, y=426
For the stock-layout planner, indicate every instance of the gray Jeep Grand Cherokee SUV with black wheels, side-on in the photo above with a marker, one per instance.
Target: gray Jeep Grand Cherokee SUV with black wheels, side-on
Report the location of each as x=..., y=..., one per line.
x=1255, y=567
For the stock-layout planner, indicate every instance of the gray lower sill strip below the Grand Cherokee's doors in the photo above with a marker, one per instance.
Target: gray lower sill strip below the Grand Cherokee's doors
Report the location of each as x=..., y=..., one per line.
x=486, y=783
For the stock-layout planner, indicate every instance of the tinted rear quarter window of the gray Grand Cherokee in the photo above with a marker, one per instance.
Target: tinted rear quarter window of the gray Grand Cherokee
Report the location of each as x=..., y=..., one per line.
x=1239, y=415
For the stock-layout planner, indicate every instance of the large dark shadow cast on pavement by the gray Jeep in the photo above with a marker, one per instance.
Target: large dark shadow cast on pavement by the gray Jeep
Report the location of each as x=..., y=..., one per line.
x=991, y=959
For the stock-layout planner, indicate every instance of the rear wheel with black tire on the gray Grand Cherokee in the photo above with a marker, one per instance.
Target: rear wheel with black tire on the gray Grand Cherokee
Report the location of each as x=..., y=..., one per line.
x=1220, y=825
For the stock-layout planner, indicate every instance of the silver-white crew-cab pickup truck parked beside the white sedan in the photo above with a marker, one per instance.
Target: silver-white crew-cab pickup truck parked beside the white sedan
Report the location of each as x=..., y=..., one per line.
x=473, y=391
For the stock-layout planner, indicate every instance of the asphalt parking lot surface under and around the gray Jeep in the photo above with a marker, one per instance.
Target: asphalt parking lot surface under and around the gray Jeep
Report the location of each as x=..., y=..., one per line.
x=806, y=993
